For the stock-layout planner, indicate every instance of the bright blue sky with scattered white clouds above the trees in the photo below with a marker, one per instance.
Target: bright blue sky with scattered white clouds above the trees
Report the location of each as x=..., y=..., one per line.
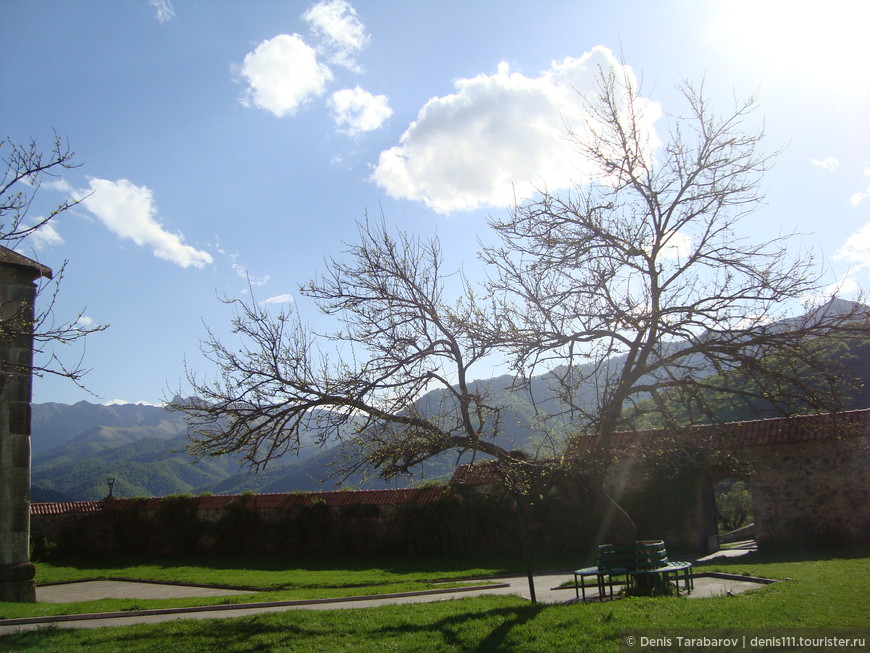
x=229, y=147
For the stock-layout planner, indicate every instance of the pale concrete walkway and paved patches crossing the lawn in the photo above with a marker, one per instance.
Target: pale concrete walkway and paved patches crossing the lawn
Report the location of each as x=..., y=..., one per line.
x=546, y=591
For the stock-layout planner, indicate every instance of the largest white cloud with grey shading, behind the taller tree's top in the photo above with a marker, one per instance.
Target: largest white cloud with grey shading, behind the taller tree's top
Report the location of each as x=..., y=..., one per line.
x=500, y=137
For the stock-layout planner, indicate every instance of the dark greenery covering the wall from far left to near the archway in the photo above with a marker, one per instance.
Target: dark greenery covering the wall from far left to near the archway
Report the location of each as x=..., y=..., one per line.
x=455, y=521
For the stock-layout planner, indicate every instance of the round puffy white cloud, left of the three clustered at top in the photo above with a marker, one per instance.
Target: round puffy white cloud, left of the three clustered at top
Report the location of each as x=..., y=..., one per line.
x=282, y=74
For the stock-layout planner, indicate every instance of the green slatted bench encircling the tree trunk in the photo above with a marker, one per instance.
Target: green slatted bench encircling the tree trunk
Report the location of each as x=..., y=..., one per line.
x=645, y=561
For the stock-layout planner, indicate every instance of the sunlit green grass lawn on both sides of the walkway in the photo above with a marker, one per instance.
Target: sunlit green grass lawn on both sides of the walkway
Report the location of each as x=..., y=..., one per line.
x=829, y=592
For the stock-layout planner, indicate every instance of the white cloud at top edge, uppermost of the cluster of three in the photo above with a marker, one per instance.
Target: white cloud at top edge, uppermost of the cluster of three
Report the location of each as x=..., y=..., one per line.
x=340, y=33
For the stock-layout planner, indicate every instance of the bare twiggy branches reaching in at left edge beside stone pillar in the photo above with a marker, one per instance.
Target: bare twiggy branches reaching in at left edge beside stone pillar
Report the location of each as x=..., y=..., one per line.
x=25, y=169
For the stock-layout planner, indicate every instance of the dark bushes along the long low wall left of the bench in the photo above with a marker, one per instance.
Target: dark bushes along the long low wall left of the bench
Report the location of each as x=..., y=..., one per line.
x=462, y=521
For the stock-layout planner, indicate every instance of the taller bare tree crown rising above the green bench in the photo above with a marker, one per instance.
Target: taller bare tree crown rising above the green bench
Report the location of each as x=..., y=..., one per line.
x=636, y=292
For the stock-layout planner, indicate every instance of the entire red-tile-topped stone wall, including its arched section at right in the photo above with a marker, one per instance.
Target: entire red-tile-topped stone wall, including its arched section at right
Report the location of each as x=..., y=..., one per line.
x=808, y=478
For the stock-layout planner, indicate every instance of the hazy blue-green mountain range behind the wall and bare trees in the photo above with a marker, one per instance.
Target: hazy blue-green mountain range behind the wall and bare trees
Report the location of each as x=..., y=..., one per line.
x=76, y=448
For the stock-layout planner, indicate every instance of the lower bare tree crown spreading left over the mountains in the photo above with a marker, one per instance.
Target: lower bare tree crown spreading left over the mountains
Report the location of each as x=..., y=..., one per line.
x=285, y=386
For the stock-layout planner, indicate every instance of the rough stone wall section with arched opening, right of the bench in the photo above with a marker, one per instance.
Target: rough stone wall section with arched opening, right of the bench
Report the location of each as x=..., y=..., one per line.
x=809, y=477
